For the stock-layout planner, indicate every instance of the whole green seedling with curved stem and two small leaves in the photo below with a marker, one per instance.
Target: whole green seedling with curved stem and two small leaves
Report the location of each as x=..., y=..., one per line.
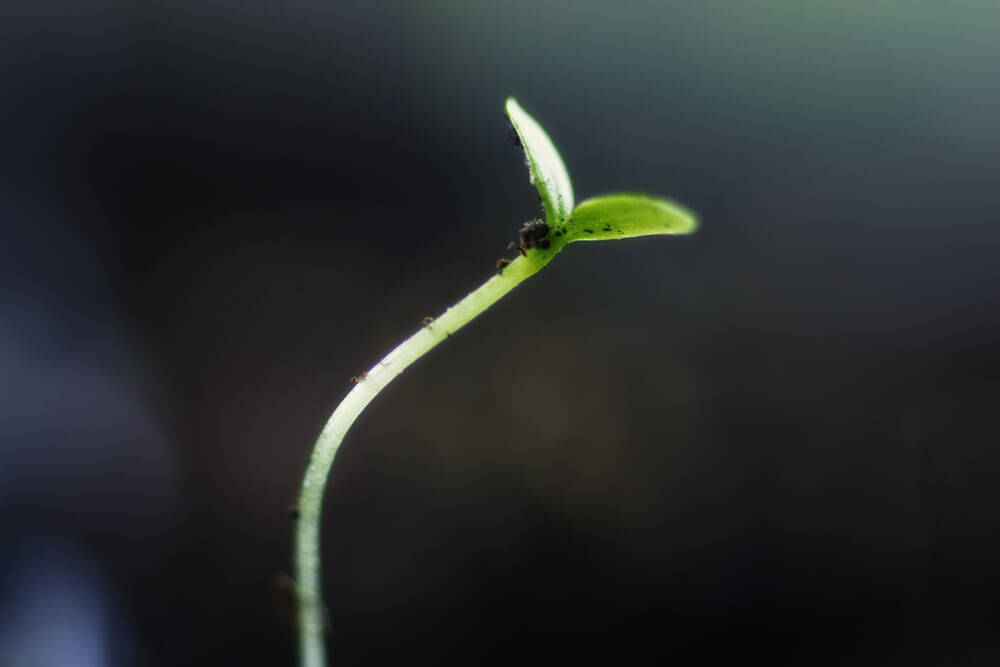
x=607, y=217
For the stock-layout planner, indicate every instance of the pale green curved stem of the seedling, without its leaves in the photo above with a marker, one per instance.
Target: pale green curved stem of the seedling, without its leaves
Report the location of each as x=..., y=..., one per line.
x=307, y=558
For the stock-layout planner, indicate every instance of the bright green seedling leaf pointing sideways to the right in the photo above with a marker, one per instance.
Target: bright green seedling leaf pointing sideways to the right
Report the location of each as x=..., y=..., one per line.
x=620, y=216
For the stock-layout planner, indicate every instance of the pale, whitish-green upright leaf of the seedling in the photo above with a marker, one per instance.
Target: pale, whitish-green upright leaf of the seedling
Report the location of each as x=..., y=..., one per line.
x=547, y=171
